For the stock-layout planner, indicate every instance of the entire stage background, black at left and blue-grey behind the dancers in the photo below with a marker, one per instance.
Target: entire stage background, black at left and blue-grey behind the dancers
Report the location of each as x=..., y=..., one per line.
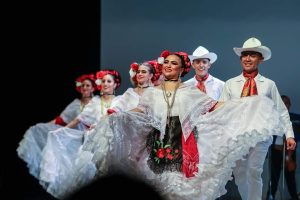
x=52, y=43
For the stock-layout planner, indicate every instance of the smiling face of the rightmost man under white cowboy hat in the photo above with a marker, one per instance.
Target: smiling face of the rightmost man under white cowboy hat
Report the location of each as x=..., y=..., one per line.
x=250, y=60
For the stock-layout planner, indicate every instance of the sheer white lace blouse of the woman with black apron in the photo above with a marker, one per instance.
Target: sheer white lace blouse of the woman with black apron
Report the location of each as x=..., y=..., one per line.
x=195, y=103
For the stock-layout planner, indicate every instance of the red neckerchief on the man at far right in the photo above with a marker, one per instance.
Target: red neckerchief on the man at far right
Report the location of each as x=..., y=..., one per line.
x=249, y=88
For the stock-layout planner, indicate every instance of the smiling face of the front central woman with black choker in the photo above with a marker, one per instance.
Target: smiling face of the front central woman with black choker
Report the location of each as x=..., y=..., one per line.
x=172, y=67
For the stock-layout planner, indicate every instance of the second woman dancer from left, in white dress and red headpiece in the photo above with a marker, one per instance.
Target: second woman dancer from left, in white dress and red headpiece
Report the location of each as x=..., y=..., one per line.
x=63, y=144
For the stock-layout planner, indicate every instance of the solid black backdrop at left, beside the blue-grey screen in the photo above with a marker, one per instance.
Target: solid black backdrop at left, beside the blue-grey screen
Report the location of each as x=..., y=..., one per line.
x=50, y=44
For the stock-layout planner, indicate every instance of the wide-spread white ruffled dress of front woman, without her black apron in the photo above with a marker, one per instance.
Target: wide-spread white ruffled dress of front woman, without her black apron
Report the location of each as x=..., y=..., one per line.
x=224, y=136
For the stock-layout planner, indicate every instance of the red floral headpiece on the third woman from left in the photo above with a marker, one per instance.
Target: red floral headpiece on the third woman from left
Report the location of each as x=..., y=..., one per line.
x=156, y=68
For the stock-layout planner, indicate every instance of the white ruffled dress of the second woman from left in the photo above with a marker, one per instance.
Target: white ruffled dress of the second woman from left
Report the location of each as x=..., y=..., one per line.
x=63, y=144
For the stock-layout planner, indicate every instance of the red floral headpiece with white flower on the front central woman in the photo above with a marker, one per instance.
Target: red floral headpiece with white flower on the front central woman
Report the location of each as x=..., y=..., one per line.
x=186, y=63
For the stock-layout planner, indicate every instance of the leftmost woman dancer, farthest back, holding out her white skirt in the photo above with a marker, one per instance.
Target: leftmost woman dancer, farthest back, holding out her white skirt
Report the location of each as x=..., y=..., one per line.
x=34, y=140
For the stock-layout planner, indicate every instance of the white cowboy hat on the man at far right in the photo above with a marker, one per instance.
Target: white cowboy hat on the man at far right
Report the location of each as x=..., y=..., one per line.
x=253, y=44
